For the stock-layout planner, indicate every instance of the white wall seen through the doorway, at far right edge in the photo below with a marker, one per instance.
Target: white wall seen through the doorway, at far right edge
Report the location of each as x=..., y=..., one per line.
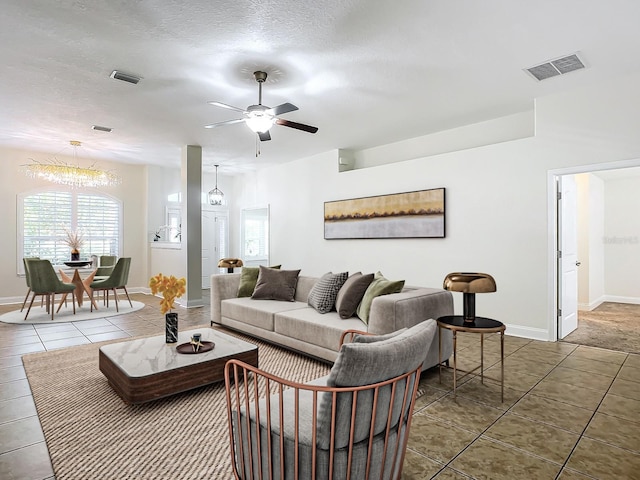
x=622, y=240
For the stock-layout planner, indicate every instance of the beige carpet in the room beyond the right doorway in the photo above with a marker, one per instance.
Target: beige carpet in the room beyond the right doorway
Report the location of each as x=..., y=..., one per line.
x=614, y=326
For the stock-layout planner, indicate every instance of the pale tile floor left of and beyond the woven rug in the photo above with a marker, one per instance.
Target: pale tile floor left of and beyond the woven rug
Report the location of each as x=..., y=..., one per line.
x=23, y=451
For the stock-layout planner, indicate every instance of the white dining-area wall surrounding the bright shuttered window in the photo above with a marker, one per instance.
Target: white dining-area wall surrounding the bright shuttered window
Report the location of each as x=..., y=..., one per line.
x=132, y=193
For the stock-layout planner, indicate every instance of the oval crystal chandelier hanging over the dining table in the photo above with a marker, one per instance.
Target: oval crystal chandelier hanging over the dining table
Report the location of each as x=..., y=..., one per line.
x=62, y=173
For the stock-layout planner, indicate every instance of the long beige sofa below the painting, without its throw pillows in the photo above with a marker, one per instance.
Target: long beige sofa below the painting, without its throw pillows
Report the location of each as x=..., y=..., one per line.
x=297, y=326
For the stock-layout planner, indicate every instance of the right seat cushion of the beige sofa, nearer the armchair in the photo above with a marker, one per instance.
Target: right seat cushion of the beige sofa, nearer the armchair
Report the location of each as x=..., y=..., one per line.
x=307, y=325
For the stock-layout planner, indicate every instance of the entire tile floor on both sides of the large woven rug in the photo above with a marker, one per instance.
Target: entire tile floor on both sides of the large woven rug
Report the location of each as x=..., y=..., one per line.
x=570, y=412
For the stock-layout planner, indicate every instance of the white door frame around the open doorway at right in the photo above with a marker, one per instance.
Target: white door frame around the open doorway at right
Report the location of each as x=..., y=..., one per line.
x=552, y=232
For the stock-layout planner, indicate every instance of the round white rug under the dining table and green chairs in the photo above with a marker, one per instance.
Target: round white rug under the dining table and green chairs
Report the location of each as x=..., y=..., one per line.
x=39, y=314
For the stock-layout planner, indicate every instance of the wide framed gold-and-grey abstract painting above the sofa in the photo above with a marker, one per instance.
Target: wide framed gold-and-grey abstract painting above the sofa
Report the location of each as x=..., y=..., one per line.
x=418, y=214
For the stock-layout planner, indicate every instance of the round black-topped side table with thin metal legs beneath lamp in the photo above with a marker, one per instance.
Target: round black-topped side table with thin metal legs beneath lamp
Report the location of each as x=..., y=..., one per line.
x=481, y=325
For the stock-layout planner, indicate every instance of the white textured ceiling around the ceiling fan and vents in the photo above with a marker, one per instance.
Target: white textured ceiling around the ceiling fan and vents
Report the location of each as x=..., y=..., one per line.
x=365, y=72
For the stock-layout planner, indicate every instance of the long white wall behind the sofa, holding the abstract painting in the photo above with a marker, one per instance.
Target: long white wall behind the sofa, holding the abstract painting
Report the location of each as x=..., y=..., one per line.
x=497, y=205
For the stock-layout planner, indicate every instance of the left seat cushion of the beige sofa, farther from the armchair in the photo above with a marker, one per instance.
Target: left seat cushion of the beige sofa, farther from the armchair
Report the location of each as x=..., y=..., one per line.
x=258, y=314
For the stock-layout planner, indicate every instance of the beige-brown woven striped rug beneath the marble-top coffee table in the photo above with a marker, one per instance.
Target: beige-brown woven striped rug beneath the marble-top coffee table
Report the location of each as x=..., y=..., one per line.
x=92, y=434
